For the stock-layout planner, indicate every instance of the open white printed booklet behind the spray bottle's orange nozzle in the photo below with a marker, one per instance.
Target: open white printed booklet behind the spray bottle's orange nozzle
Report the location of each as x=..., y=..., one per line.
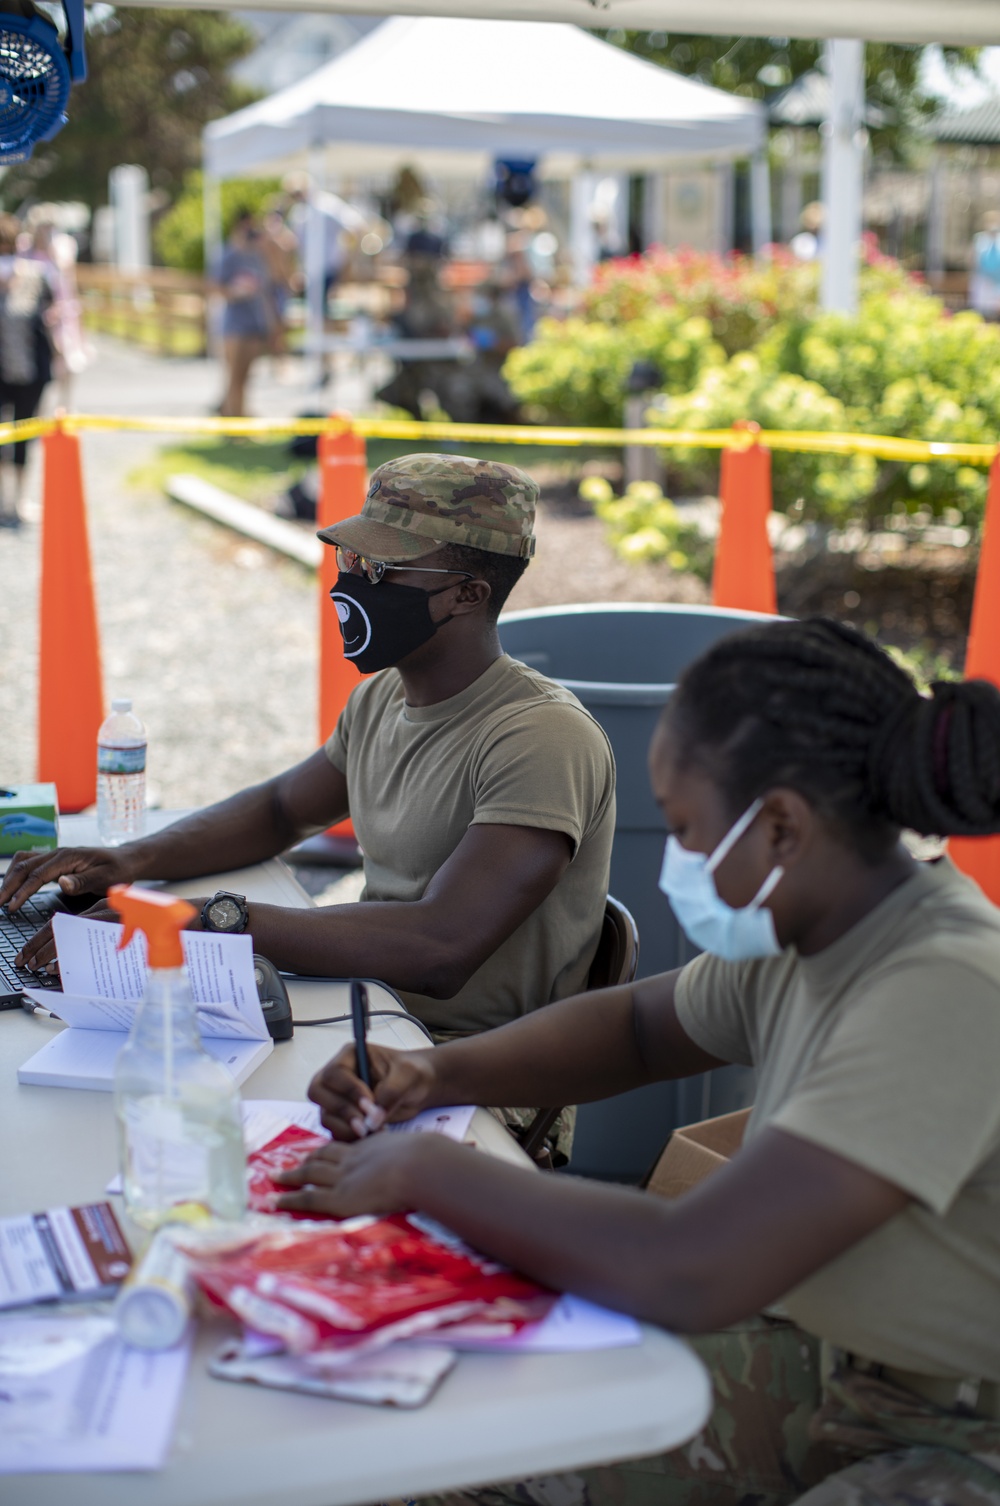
x=102, y=992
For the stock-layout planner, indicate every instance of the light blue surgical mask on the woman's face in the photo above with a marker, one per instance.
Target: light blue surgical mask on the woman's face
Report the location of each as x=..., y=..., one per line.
x=706, y=918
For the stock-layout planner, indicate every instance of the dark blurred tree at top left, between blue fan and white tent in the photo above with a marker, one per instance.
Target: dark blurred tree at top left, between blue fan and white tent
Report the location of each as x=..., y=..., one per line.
x=156, y=81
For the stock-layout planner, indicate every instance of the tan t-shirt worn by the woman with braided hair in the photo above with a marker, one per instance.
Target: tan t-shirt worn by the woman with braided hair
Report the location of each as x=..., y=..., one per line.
x=886, y=1050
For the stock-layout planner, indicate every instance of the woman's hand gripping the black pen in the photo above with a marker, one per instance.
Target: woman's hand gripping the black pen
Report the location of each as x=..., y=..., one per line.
x=403, y=1087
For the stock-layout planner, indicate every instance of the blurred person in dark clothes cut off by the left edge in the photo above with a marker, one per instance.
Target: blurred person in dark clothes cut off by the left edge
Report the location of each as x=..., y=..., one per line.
x=28, y=300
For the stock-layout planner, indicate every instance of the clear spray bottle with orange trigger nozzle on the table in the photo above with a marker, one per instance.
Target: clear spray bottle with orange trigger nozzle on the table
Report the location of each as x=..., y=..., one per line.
x=180, y=1129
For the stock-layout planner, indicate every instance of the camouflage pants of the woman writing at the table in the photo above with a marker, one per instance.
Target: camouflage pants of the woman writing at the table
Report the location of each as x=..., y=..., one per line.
x=772, y=1444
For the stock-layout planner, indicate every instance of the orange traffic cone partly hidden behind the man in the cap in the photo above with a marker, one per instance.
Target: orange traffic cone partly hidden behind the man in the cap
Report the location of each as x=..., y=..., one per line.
x=343, y=489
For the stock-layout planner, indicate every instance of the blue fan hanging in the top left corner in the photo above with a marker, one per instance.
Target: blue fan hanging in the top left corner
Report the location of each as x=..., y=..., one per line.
x=37, y=73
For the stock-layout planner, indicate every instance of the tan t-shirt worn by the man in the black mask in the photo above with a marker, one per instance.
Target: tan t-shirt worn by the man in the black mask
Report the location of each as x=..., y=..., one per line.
x=513, y=749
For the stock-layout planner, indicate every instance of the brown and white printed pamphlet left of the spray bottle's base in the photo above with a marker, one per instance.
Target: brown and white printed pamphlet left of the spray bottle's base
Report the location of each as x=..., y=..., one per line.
x=62, y=1255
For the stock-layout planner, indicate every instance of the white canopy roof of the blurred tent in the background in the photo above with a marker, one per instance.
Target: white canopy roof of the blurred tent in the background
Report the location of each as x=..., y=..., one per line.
x=460, y=93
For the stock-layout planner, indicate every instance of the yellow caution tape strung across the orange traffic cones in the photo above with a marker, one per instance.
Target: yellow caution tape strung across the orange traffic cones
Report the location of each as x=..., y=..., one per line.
x=880, y=447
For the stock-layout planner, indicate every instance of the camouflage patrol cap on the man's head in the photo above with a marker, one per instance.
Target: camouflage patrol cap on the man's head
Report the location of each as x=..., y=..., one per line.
x=421, y=502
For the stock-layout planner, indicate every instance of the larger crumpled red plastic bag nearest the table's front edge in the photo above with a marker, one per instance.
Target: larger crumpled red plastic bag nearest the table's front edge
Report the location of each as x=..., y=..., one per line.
x=362, y=1282
